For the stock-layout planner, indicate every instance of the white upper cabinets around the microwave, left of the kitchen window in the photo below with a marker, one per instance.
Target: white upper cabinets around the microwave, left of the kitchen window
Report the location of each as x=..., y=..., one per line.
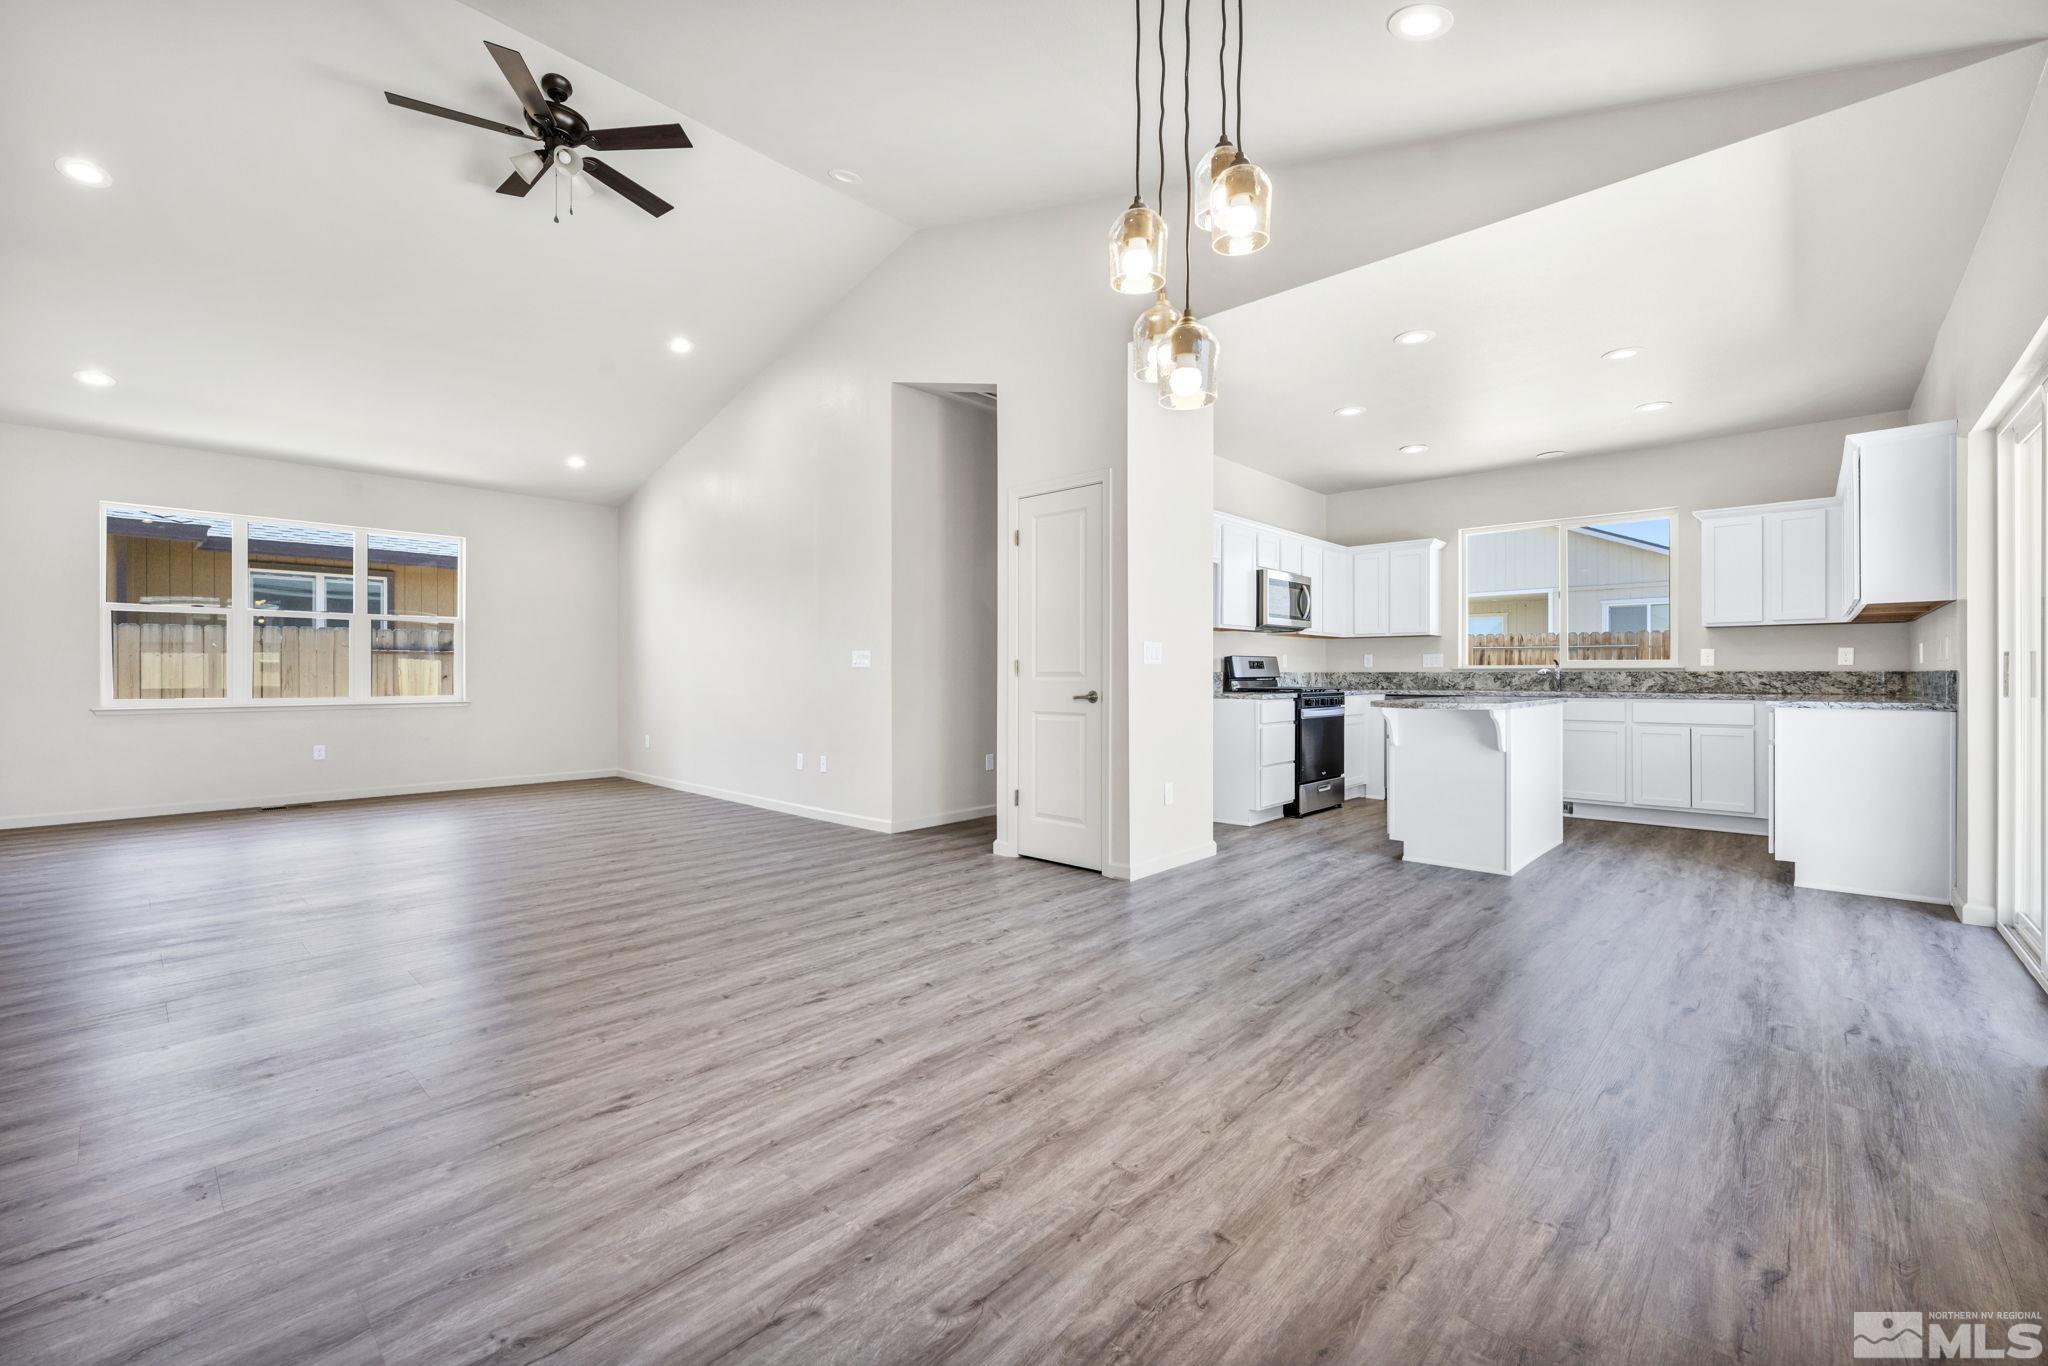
x=1355, y=591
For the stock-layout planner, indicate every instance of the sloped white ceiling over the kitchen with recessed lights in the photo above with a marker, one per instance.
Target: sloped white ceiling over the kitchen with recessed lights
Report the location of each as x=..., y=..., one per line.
x=1783, y=280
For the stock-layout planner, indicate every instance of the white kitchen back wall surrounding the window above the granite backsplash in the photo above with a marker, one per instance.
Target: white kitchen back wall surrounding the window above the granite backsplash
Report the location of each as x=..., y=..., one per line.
x=1797, y=462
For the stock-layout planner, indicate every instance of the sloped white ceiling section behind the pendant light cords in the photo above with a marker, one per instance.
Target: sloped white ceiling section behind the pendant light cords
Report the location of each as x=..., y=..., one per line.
x=962, y=110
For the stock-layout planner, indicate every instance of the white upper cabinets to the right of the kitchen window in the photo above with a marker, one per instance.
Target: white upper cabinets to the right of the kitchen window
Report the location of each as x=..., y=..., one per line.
x=1881, y=550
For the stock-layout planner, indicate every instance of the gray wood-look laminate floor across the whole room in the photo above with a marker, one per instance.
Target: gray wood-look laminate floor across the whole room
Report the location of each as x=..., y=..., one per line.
x=611, y=1074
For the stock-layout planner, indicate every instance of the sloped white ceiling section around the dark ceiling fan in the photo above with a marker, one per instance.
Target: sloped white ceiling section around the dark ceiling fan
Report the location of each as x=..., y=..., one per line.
x=294, y=267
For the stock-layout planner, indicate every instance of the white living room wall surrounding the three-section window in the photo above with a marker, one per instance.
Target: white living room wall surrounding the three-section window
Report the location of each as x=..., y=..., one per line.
x=542, y=636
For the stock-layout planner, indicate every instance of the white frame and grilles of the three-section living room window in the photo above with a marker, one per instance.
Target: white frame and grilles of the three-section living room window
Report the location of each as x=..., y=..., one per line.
x=241, y=617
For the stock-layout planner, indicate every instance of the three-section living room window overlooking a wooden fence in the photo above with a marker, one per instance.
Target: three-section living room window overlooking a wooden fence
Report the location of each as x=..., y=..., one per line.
x=216, y=609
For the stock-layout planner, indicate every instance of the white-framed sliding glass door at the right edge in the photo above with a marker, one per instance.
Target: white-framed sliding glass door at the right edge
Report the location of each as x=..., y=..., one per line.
x=2022, y=720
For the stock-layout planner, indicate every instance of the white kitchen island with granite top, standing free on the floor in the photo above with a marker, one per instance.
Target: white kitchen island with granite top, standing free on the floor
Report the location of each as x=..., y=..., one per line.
x=1476, y=781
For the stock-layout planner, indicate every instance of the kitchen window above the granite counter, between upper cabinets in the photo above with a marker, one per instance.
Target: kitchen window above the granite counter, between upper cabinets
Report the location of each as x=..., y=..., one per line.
x=1580, y=591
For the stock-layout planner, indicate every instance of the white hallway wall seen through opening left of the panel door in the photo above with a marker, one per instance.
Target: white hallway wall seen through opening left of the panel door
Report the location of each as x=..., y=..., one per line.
x=943, y=548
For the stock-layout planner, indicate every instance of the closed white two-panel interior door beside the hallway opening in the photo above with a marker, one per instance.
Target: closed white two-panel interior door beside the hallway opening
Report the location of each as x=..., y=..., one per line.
x=1062, y=679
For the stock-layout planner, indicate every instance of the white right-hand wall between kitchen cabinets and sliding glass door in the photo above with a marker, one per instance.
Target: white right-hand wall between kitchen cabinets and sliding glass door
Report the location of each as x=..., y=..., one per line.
x=2000, y=312
